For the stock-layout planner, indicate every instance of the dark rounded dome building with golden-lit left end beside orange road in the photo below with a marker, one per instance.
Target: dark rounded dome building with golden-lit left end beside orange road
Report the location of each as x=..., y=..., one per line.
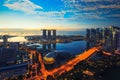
x=57, y=57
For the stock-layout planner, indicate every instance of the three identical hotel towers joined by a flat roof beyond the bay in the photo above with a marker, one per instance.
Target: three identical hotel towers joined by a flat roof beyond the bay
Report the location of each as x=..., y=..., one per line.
x=49, y=34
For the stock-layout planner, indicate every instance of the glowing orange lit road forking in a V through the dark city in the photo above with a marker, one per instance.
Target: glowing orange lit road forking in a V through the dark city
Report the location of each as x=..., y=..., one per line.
x=63, y=68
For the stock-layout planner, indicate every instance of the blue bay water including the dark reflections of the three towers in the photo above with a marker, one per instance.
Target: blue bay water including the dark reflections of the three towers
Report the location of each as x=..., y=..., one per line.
x=75, y=47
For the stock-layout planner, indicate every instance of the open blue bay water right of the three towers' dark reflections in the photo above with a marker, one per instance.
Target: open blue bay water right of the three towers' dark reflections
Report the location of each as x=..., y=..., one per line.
x=75, y=47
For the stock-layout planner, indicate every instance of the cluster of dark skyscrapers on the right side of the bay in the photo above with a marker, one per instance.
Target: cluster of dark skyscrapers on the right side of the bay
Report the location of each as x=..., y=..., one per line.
x=108, y=36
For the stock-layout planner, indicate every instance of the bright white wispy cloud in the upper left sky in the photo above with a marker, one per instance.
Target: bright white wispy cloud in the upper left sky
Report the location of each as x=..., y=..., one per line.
x=22, y=5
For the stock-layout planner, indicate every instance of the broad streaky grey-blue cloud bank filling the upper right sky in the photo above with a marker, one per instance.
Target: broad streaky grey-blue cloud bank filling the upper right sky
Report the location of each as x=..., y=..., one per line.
x=96, y=9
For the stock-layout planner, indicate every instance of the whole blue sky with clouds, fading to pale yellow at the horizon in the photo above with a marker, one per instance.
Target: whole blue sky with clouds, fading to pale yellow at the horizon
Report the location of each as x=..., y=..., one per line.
x=59, y=14
